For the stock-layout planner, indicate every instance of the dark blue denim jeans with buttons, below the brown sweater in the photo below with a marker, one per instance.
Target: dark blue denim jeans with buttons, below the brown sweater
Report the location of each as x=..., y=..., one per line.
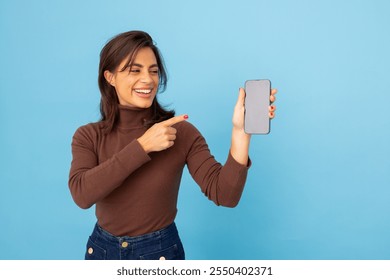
x=162, y=244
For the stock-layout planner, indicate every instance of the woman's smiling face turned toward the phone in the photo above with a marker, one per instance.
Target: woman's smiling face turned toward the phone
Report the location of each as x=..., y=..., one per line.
x=137, y=85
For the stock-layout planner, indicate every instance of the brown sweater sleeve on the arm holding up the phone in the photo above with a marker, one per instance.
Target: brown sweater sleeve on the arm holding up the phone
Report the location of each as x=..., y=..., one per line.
x=222, y=184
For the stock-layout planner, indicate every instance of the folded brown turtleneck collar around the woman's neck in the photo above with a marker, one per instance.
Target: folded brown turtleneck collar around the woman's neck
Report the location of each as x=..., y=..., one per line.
x=131, y=117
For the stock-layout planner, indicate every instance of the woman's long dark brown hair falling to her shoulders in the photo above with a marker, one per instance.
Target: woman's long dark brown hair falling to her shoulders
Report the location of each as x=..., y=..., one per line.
x=122, y=46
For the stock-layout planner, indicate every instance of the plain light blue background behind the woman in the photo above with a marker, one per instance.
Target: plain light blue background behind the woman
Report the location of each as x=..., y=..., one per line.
x=319, y=186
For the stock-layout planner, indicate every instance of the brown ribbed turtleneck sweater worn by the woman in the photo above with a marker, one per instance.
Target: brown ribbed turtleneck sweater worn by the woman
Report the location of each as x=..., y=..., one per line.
x=135, y=192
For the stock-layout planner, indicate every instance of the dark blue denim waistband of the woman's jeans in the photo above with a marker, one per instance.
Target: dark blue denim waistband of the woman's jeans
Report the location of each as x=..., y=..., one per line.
x=163, y=233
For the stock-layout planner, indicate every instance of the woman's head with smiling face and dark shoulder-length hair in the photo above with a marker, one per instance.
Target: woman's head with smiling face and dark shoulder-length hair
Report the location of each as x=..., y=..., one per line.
x=130, y=62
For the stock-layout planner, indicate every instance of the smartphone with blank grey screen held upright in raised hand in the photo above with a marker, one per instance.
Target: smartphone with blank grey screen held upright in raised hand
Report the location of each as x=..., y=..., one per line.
x=257, y=101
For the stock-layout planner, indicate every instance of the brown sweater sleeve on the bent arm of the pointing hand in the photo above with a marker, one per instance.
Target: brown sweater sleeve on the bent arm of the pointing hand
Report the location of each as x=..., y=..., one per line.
x=90, y=181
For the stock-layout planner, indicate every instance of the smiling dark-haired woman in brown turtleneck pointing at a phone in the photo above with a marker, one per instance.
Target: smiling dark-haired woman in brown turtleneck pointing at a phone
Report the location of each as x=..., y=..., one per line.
x=129, y=164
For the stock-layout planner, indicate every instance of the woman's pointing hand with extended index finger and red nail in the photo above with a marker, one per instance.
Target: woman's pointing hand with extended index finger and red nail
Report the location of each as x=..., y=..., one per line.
x=160, y=136
